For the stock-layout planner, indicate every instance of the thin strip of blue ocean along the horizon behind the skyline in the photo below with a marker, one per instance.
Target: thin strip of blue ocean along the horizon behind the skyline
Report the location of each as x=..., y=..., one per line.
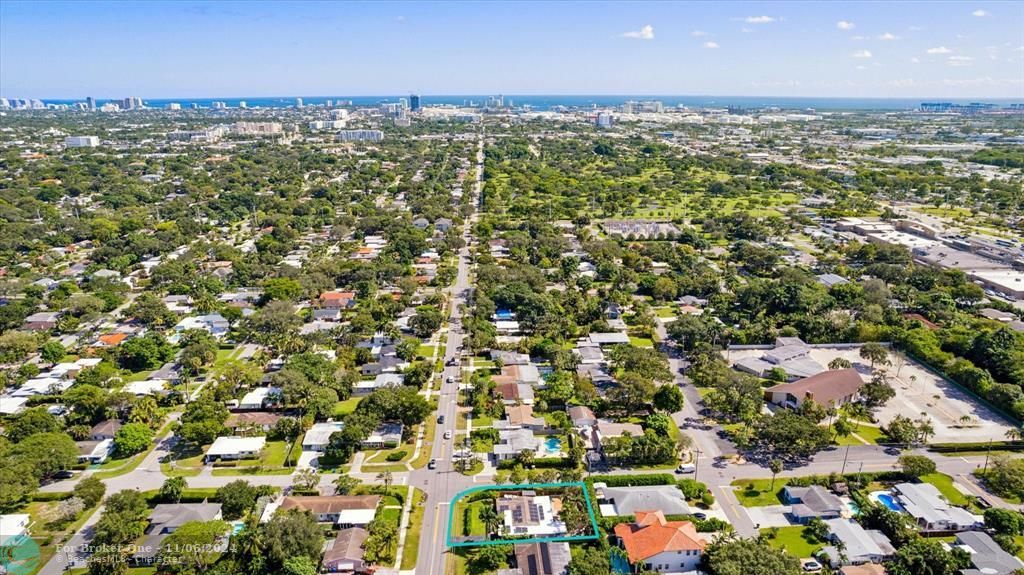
x=543, y=103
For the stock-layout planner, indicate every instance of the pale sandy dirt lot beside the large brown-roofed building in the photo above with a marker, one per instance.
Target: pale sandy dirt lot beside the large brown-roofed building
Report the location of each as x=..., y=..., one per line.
x=921, y=394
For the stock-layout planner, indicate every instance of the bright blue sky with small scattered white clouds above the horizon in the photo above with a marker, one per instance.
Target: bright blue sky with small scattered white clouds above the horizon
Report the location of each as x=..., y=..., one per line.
x=206, y=50
